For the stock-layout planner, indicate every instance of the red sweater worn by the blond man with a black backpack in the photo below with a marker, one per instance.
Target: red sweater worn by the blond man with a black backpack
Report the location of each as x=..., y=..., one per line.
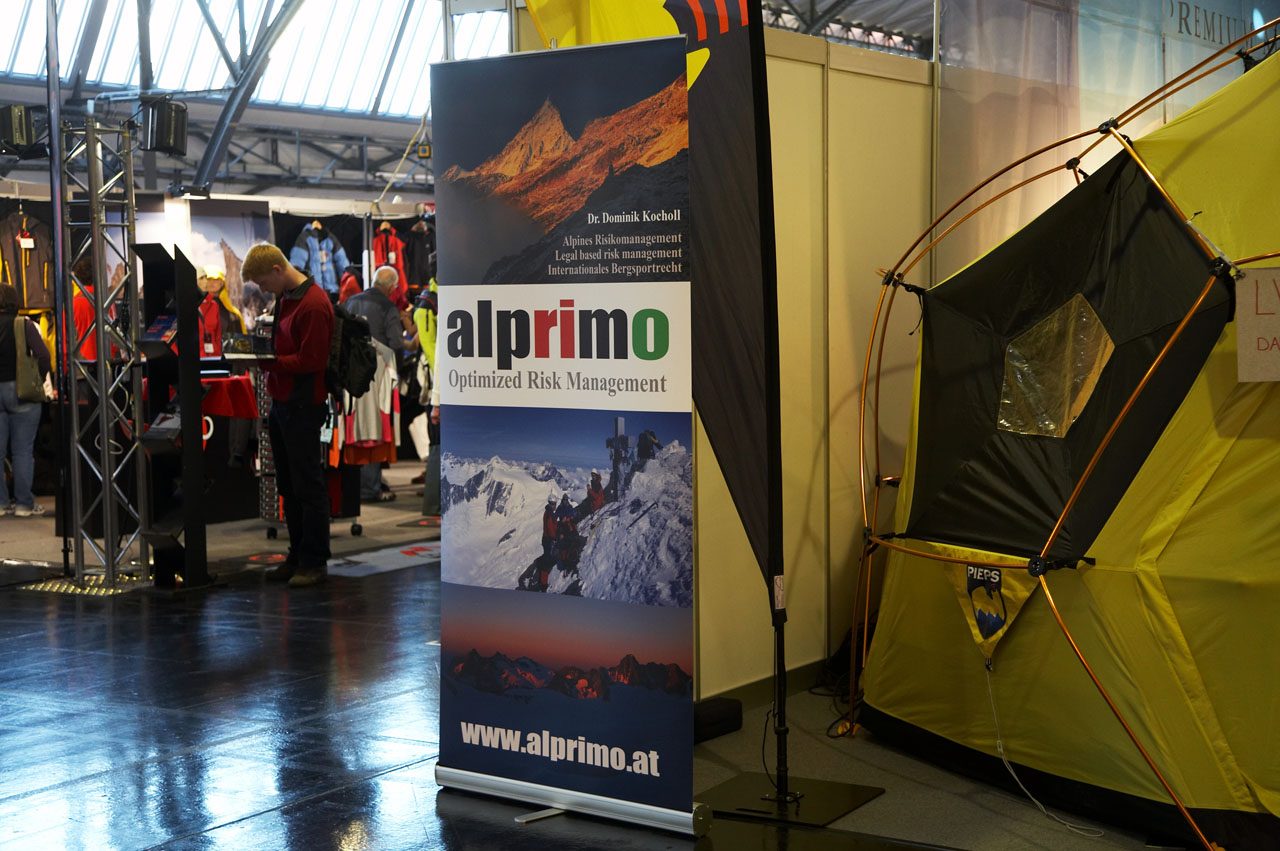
x=303, y=336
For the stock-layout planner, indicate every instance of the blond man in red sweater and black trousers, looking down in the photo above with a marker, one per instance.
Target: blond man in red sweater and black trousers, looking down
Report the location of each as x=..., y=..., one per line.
x=295, y=379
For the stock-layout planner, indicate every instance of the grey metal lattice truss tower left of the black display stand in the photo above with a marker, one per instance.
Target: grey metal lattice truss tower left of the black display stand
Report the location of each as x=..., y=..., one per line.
x=100, y=399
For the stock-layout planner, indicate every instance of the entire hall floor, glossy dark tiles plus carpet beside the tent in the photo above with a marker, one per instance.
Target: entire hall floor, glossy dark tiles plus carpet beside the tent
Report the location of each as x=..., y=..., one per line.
x=259, y=717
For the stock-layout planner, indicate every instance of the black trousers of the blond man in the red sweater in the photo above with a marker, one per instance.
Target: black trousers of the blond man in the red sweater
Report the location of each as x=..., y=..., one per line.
x=300, y=479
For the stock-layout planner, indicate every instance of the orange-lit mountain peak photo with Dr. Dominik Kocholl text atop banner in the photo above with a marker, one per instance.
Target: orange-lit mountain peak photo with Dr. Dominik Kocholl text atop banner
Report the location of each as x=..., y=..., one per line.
x=560, y=185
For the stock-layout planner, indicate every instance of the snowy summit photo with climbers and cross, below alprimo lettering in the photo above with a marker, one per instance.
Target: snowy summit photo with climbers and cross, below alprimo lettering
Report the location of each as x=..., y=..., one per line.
x=573, y=502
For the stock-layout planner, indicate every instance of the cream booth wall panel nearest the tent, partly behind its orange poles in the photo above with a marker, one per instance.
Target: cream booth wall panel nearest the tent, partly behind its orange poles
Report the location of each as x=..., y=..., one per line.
x=880, y=134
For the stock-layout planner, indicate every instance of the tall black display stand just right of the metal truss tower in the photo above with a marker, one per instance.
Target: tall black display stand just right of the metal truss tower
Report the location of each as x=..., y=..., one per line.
x=175, y=519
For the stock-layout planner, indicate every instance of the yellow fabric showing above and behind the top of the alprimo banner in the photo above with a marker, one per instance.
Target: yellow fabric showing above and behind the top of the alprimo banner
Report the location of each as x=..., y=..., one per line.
x=593, y=22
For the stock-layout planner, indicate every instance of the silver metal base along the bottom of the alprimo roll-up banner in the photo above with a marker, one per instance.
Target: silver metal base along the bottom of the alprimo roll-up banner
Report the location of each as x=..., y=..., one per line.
x=693, y=823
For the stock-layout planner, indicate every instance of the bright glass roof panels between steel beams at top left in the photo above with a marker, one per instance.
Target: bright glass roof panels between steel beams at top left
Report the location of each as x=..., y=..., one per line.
x=335, y=56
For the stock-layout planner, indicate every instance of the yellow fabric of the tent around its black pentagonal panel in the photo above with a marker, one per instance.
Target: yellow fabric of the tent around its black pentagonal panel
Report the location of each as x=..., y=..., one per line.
x=1180, y=615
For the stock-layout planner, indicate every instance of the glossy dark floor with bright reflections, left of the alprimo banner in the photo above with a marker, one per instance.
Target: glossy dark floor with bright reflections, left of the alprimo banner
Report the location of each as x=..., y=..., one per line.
x=227, y=720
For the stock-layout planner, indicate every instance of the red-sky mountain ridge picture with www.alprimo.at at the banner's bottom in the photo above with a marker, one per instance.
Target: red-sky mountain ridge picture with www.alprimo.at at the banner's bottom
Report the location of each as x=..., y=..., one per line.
x=578, y=694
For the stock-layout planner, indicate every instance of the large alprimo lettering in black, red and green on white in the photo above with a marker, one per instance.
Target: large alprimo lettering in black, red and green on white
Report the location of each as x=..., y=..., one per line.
x=566, y=333
